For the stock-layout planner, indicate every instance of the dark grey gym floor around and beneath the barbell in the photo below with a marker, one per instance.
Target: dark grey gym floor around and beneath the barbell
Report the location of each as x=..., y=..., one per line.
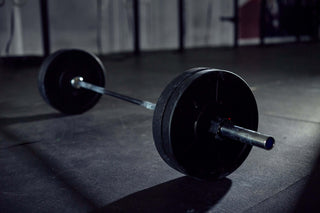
x=105, y=161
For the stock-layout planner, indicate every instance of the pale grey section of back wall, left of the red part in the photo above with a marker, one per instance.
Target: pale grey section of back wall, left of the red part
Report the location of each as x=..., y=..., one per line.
x=74, y=24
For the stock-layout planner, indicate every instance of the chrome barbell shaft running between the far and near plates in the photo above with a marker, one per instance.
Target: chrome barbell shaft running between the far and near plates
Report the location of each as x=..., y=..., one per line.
x=78, y=83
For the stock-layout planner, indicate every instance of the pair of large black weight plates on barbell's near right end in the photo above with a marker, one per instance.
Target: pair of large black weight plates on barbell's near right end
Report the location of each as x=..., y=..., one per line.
x=183, y=125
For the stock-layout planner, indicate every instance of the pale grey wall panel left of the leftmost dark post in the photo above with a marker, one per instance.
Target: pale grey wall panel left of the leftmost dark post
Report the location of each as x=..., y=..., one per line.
x=20, y=27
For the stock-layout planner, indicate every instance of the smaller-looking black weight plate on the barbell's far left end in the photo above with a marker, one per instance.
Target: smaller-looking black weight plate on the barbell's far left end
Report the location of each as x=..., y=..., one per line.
x=56, y=73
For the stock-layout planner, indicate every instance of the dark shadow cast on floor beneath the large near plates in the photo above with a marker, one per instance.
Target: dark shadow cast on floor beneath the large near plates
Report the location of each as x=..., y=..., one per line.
x=184, y=194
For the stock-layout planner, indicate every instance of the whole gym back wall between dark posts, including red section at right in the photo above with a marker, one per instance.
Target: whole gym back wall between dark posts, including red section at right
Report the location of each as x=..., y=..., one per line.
x=107, y=26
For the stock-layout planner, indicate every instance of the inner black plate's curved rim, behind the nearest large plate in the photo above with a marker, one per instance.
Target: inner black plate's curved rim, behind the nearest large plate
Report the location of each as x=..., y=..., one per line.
x=161, y=107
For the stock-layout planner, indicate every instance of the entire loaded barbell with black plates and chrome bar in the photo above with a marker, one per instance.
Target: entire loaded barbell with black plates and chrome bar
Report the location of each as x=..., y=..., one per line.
x=204, y=124
